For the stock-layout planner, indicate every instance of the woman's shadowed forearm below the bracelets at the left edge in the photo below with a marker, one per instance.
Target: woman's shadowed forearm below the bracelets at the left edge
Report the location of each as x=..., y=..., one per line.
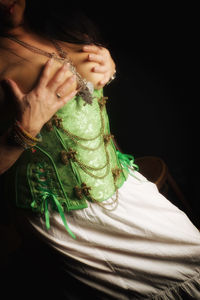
x=9, y=153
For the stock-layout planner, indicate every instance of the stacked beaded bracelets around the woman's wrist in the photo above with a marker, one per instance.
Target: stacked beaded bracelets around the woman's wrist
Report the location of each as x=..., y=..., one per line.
x=19, y=136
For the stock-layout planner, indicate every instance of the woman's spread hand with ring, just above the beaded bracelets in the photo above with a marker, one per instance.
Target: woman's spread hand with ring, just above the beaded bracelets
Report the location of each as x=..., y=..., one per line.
x=35, y=108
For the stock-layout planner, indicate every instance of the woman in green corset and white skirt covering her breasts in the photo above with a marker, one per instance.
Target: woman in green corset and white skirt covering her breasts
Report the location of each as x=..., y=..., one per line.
x=112, y=229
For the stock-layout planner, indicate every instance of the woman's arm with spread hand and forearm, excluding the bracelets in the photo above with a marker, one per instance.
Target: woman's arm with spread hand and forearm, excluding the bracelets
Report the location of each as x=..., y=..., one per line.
x=36, y=108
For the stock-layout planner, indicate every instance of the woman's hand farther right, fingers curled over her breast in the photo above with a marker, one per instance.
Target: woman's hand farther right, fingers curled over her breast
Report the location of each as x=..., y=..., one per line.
x=106, y=65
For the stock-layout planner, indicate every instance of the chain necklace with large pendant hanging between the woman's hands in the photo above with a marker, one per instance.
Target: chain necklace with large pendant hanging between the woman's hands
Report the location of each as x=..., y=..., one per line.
x=85, y=87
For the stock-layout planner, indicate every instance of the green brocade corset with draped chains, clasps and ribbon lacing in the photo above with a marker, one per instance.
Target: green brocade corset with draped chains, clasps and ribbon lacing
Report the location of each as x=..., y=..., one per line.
x=76, y=162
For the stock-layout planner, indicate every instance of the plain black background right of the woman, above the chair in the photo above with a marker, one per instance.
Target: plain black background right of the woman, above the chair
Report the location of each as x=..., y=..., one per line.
x=152, y=107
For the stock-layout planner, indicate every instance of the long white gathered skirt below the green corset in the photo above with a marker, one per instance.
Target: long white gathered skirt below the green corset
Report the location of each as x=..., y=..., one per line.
x=144, y=249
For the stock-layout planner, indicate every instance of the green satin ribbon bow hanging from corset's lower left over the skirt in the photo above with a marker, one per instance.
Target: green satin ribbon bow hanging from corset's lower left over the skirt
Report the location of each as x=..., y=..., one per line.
x=50, y=196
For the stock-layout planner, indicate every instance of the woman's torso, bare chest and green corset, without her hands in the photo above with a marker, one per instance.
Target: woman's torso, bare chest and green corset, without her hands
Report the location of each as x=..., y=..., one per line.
x=95, y=167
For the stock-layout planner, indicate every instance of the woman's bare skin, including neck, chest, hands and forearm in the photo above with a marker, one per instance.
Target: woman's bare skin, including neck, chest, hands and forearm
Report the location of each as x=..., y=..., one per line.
x=33, y=79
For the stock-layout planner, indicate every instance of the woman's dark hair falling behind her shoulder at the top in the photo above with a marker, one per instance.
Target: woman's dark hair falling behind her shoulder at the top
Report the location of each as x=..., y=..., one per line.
x=62, y=20
